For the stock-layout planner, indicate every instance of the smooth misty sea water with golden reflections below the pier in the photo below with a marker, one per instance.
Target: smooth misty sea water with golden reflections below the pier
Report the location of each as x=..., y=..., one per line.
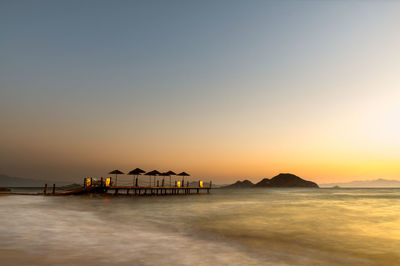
x=227, y=227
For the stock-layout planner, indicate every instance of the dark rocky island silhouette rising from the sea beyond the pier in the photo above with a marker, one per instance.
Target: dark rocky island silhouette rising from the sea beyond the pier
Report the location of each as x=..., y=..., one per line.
x=281, y=180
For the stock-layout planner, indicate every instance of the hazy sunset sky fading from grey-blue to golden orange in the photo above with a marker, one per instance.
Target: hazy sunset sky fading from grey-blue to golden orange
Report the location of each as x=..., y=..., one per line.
x=223, y=90
